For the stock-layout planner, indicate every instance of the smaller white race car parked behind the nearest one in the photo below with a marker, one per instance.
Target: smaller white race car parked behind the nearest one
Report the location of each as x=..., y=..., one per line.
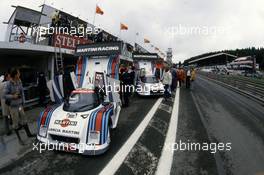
x=149, y=85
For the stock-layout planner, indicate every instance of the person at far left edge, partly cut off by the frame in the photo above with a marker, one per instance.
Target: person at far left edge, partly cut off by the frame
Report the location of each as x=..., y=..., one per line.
x=5, y=108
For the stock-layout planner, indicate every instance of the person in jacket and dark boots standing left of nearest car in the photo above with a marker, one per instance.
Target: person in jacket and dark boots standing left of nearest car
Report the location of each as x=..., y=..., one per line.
x=14, y=96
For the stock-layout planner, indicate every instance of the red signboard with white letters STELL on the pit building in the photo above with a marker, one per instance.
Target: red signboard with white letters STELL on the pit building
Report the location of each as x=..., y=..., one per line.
x=68, y=41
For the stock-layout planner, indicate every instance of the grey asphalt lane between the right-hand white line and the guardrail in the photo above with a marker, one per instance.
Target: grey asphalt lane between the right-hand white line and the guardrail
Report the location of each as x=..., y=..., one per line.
x=211, y=113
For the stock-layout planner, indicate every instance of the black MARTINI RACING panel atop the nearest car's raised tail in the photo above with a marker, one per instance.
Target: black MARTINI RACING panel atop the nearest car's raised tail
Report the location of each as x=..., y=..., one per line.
x=99, y=49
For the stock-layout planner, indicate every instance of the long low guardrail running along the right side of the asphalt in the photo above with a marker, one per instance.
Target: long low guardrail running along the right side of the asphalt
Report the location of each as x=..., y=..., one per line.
x=253, y=86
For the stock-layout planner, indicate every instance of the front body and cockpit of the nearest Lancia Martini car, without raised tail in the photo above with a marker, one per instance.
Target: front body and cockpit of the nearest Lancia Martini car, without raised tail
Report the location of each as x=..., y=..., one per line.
x=82, y=124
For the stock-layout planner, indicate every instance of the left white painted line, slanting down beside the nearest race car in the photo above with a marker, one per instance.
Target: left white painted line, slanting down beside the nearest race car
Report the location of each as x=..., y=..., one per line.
x=120, y=156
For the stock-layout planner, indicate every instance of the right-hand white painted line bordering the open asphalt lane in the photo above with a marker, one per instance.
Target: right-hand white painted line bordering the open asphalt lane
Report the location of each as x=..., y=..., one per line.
x=165, y=161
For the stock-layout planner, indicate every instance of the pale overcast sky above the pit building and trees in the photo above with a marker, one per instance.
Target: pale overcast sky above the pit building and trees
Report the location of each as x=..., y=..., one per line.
x=189, y=27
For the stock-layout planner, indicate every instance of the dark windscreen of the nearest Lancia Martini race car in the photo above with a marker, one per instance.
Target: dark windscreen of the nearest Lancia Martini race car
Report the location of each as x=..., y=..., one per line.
x=81, y=102
